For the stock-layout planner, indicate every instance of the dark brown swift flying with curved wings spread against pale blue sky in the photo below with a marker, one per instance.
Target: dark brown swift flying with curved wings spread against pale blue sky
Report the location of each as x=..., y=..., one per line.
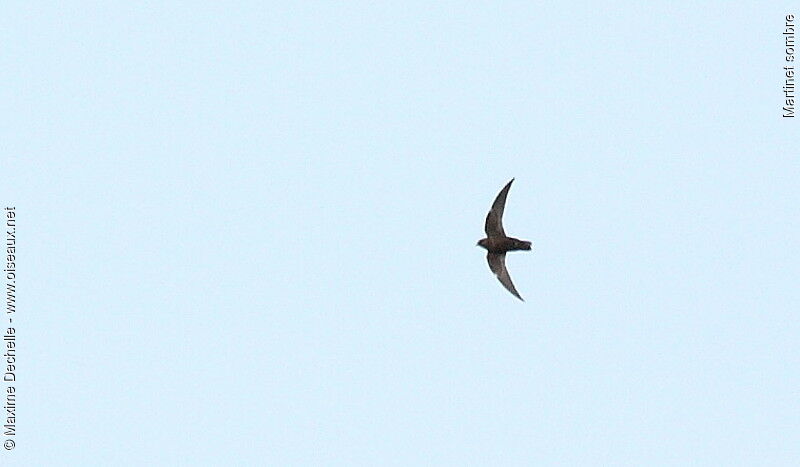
x=497, y=243
